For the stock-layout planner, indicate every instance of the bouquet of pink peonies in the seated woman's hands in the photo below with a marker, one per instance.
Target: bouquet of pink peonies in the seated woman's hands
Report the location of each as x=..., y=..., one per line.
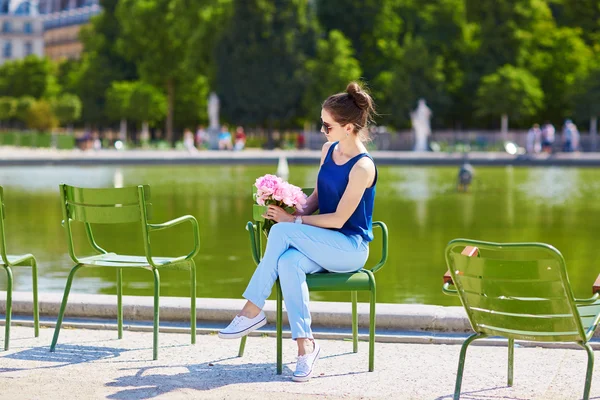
x=272, y=190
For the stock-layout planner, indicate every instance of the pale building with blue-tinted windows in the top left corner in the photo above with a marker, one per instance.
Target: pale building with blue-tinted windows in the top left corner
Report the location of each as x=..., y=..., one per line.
x=21, y=30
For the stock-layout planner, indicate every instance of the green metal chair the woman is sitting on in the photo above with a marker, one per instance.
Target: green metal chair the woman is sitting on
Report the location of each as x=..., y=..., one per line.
x=363, y=280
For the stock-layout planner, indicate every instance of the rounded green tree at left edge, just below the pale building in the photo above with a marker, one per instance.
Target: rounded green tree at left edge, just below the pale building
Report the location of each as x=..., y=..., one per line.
x=31, y=76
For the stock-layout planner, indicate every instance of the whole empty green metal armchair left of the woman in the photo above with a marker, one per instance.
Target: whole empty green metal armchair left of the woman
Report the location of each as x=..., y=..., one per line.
x=117, y=206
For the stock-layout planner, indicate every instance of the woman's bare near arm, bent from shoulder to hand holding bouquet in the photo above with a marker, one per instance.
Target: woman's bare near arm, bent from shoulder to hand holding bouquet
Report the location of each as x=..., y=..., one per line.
x=361, y=177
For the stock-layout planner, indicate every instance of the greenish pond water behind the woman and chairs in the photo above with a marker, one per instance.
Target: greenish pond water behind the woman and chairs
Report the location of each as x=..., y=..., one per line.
x=420, y=205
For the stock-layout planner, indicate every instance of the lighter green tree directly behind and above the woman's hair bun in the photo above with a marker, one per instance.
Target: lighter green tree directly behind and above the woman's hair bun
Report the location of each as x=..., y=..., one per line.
x=325, y=74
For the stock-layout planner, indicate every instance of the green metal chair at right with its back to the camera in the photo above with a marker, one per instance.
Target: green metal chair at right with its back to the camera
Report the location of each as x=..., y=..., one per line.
x=519, y=291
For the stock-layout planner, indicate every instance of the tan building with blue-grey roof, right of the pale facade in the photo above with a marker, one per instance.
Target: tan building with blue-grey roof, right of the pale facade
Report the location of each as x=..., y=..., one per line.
x=63, y=19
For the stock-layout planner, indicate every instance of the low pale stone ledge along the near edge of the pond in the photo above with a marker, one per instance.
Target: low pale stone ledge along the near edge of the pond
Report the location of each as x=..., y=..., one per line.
x=396, y=317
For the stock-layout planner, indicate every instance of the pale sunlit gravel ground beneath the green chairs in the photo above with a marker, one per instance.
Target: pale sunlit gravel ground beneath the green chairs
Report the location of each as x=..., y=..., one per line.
x=92, y=364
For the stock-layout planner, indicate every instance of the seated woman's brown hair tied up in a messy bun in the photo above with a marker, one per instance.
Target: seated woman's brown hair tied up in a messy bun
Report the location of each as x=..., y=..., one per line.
x=354, y=106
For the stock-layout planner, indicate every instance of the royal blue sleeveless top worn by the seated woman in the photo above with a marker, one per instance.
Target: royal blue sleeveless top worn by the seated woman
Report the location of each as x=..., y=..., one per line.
x=331, y=184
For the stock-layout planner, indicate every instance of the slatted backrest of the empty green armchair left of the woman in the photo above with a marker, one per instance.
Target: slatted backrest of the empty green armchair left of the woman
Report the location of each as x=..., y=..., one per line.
x=103, y=206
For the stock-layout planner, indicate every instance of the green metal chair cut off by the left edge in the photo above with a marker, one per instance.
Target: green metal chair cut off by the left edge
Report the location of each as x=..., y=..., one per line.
x=9, y=262
